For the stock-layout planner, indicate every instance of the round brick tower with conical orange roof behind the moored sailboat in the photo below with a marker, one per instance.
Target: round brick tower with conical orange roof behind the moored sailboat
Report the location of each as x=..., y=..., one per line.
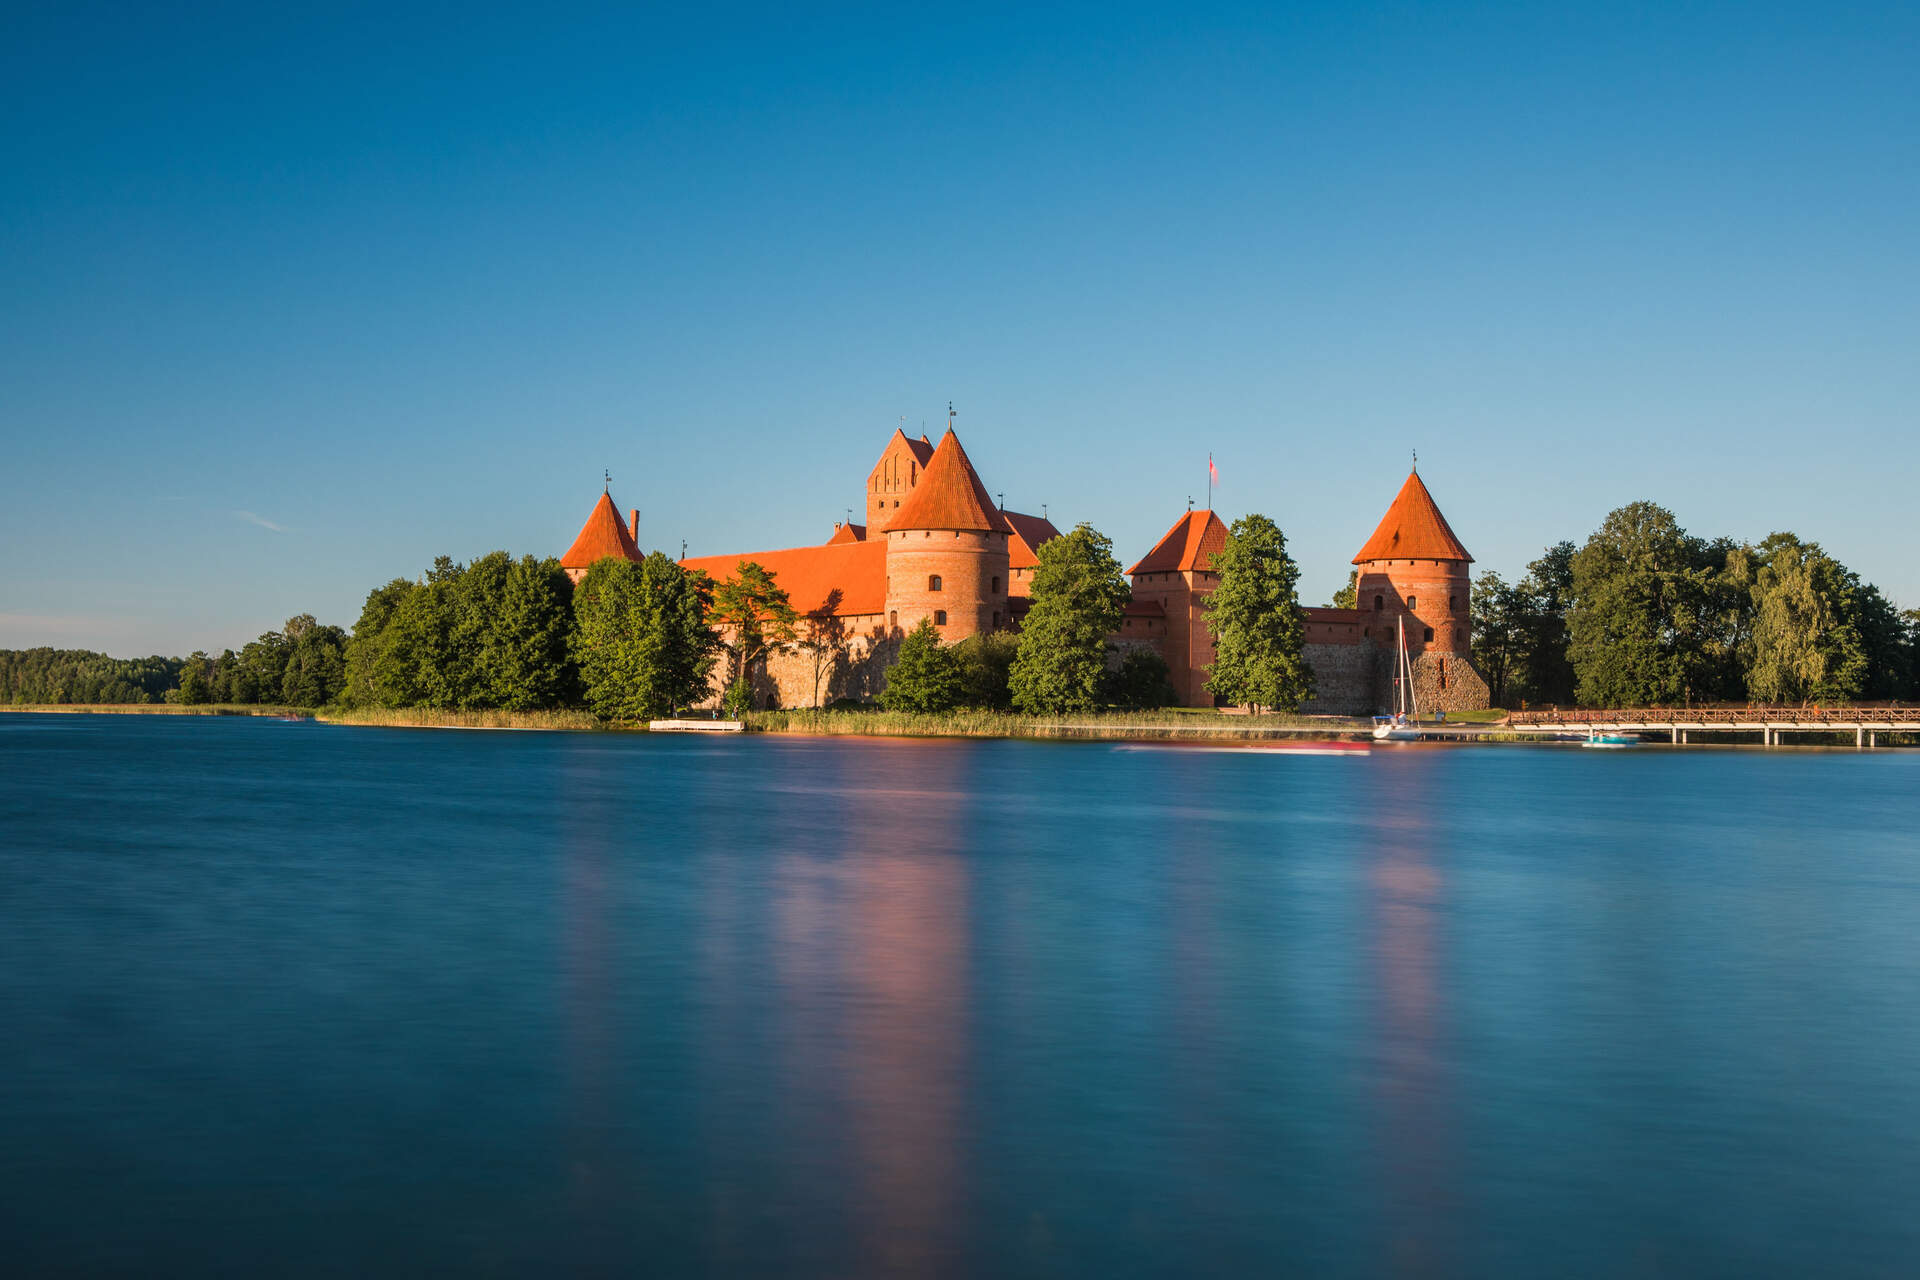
x=1414, y=571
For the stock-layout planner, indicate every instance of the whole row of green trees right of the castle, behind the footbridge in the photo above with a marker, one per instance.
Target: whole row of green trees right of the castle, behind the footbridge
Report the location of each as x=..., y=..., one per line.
x=1646, y=615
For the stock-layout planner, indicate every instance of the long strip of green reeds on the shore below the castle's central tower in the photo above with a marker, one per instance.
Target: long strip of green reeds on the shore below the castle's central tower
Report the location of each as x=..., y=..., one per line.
x=1174, y=723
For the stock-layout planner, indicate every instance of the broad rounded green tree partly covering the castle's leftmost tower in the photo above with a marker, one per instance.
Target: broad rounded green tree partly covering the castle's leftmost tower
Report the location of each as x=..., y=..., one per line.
x=642, y=638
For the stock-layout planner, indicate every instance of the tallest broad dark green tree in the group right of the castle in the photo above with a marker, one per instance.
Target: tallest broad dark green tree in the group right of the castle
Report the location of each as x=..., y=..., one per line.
x=1641, y=598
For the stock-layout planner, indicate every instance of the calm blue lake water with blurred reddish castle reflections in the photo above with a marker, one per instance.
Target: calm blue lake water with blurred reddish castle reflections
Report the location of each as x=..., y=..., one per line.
x=287, y=999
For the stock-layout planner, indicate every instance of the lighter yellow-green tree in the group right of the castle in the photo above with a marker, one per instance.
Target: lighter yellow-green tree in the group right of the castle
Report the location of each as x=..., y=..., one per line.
x=1806, y=642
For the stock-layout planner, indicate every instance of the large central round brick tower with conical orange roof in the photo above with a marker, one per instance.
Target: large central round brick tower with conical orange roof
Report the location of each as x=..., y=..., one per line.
x=948, y=550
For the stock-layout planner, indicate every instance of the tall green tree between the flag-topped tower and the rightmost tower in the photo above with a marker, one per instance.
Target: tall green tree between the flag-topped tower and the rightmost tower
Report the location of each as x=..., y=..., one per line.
x=1257, y=621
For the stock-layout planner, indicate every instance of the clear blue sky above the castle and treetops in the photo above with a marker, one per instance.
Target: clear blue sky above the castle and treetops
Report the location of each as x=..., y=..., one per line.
x=295, y=300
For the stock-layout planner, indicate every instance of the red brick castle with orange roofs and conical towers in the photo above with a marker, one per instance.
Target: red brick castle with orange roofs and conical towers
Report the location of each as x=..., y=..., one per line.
x=936, y=546
